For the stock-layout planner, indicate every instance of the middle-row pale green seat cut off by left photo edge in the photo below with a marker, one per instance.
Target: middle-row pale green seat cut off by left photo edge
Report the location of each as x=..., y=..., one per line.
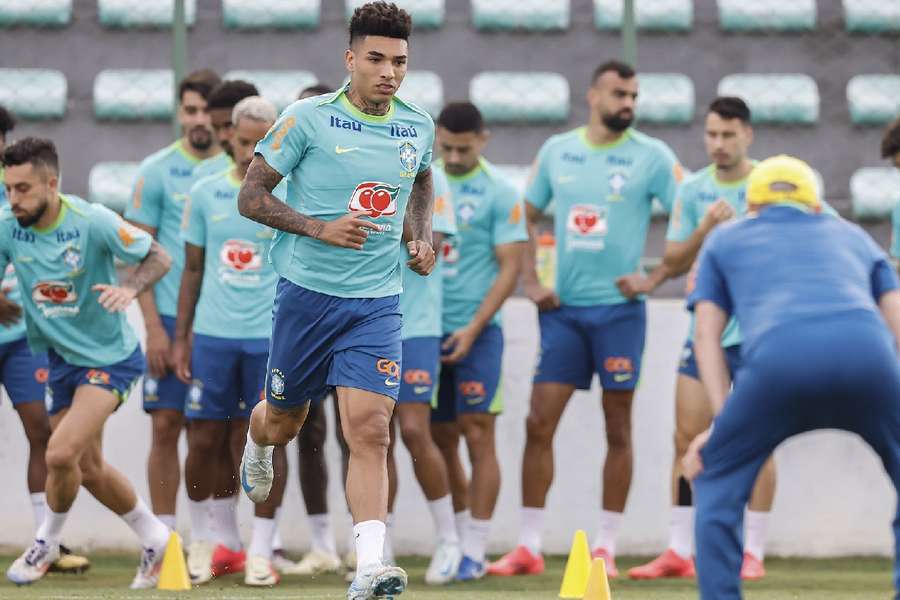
x=34, y=93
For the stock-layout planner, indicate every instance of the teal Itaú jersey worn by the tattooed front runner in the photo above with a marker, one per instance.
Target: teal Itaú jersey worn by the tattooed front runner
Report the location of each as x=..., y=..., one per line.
x=338, y=160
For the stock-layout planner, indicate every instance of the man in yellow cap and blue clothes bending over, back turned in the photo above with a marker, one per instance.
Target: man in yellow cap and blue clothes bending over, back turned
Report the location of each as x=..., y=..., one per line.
x=819, y=310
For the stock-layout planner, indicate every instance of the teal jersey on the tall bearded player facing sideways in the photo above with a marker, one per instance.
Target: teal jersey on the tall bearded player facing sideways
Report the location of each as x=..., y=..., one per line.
x=602, y=196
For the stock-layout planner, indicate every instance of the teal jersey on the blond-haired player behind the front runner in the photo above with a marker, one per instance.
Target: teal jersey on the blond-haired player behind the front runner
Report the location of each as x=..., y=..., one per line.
x=238, y=288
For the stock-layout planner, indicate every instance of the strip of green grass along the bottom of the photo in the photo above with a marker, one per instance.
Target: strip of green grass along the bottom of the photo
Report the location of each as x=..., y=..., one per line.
x=833, y=579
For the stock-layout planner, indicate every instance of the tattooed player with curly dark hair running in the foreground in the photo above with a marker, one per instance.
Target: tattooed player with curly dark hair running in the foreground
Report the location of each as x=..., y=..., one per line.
x=353, y=161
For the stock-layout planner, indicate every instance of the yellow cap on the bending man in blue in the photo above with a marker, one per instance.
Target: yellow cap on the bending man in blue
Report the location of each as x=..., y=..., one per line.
x=783, y=178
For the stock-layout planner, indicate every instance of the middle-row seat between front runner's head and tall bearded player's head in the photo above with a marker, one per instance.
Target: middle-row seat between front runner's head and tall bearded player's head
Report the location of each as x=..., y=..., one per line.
x=509, y=97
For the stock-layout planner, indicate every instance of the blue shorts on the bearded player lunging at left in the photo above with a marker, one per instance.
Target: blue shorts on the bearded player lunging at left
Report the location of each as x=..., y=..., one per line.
x=118, y=378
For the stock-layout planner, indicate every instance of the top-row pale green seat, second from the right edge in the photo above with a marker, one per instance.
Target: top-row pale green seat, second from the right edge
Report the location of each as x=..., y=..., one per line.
x=771, y=15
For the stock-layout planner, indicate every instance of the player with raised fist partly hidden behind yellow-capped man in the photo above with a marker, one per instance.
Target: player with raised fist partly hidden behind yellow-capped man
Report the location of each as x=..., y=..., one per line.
x=711, y=196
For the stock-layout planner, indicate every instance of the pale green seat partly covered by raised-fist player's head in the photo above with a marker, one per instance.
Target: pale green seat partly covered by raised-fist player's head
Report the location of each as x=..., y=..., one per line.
x=788, y=99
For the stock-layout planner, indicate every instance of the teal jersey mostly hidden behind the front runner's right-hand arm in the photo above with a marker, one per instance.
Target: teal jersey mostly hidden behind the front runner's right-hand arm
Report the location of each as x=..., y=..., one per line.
x=421, y=300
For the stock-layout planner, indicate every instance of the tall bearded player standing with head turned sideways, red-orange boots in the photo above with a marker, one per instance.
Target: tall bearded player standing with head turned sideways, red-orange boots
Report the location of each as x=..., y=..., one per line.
x=602, y=179
